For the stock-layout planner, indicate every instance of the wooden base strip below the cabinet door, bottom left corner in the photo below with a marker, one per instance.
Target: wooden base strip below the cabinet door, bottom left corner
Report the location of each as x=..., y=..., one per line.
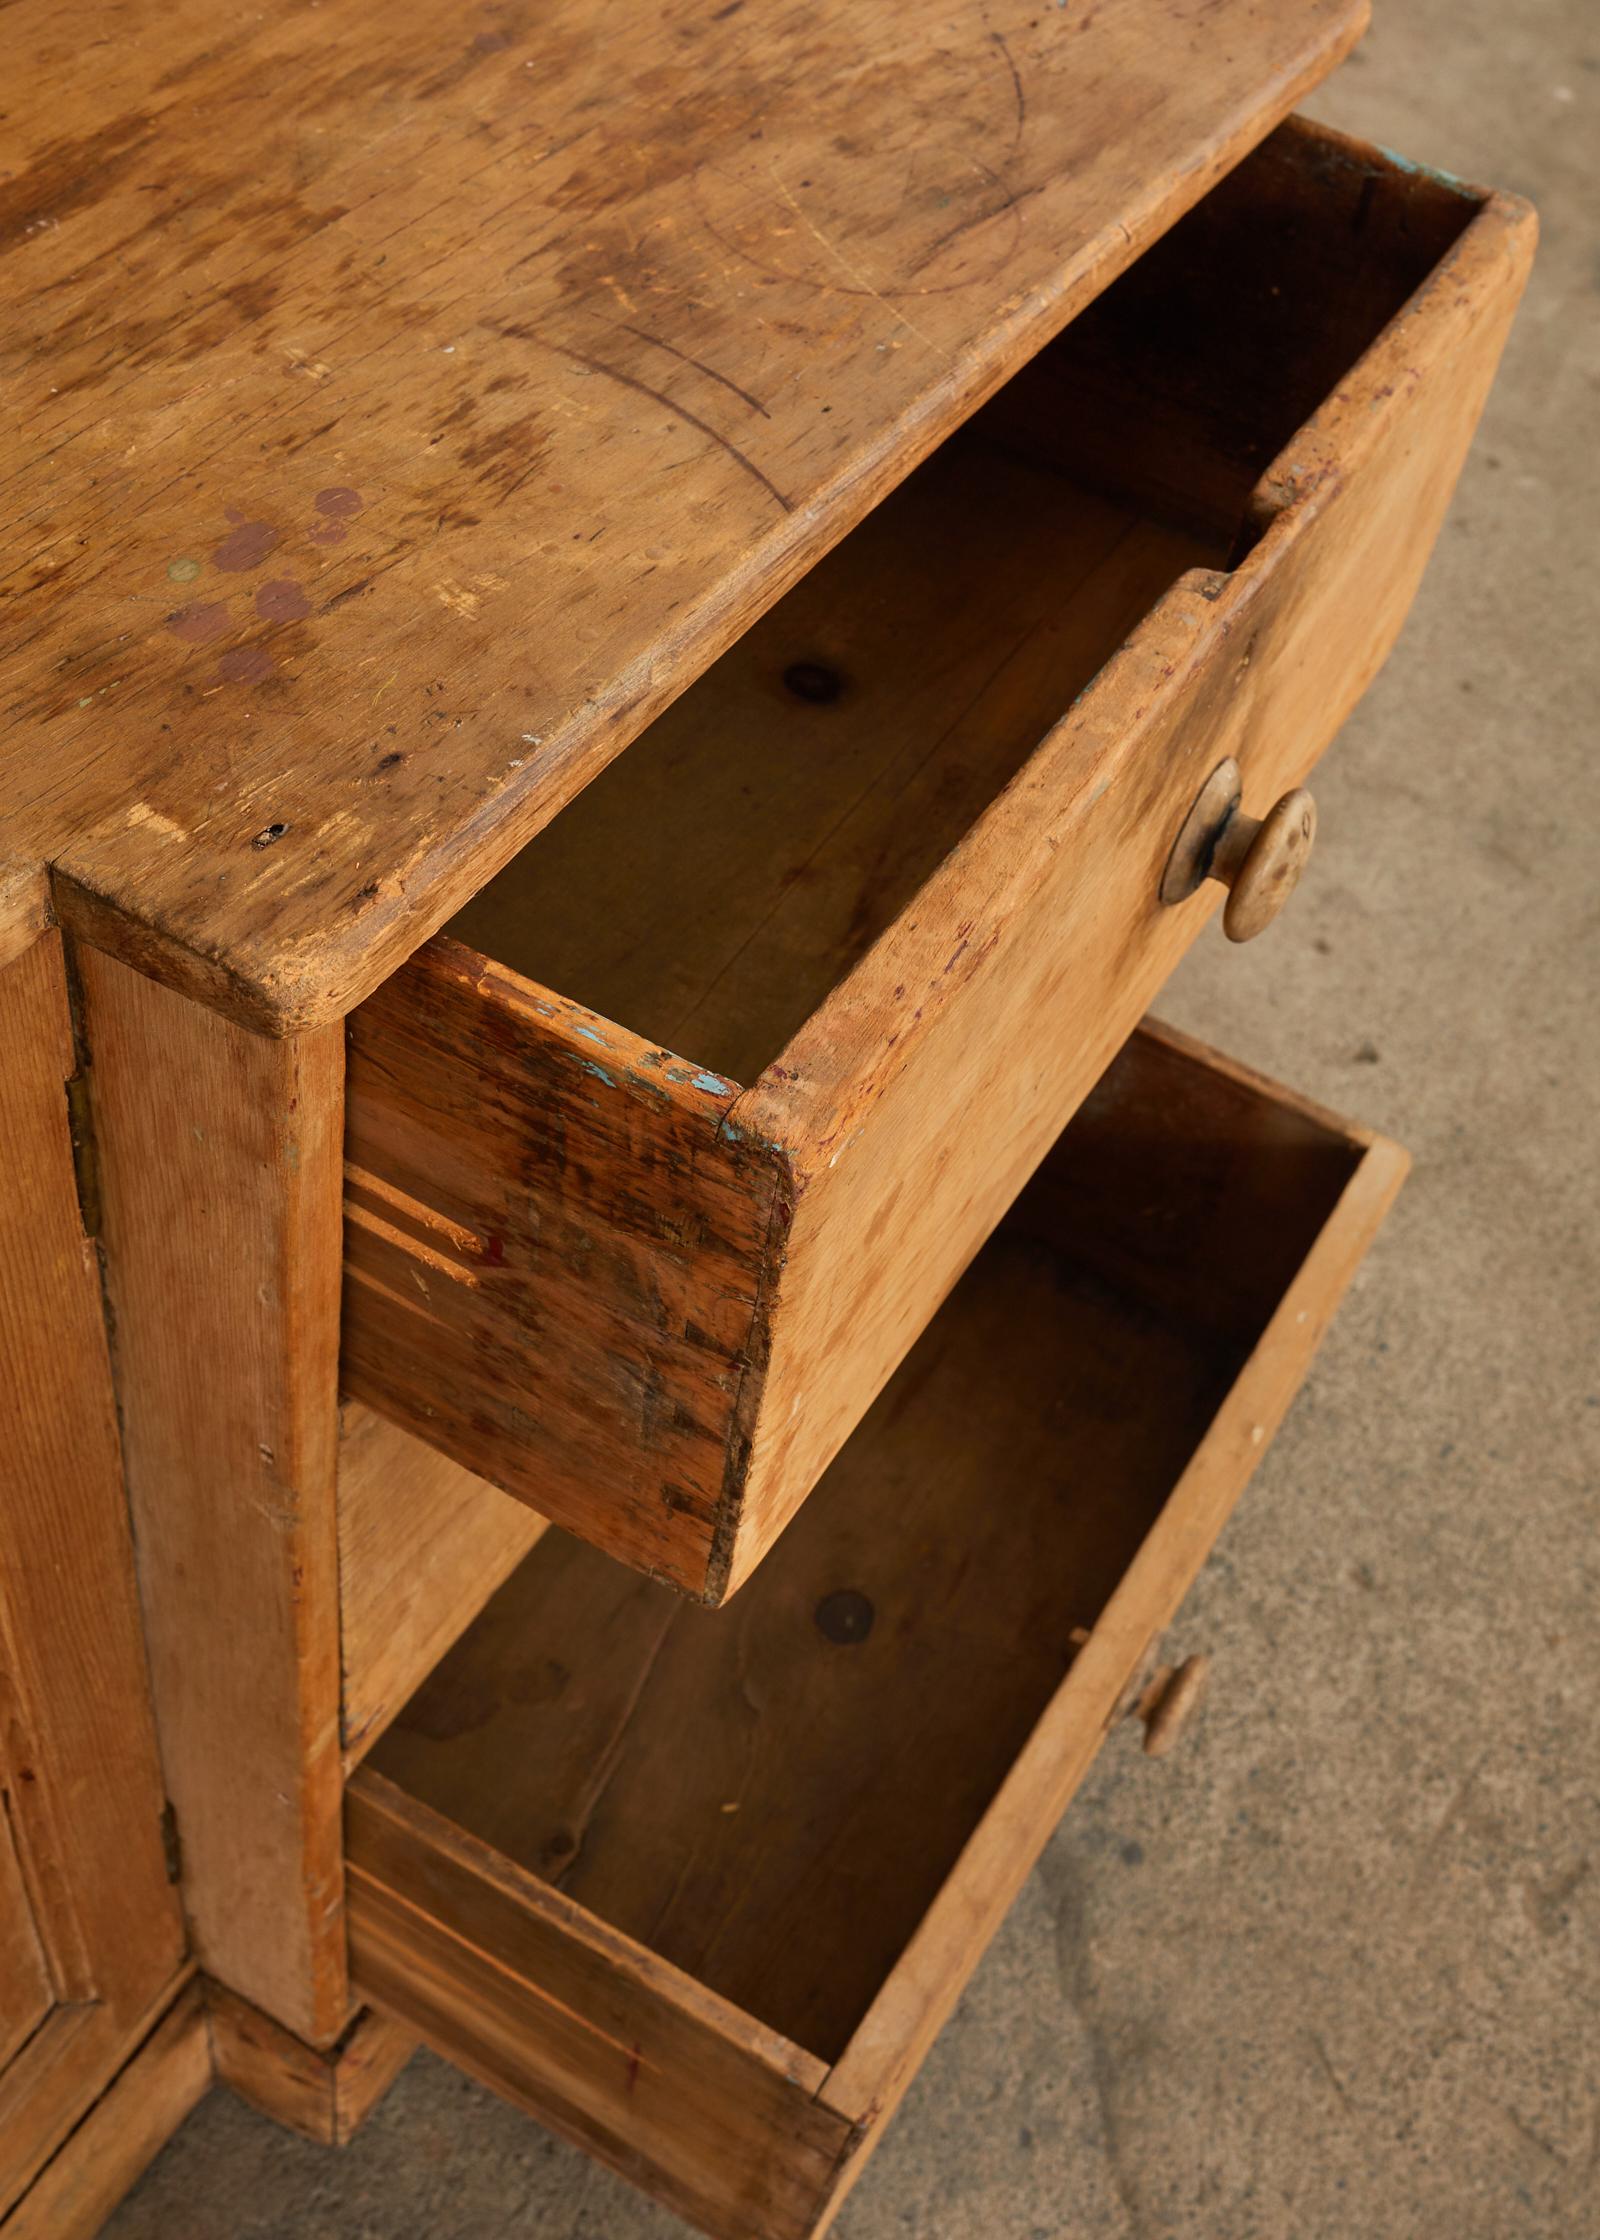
x=124, y=2131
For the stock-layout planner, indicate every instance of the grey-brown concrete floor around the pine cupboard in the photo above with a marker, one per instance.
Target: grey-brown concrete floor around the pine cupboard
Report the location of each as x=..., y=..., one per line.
x=1334, y=1970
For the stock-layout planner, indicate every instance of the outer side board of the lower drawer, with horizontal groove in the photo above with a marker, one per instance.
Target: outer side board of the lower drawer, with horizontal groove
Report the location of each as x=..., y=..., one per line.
x=595, y=2037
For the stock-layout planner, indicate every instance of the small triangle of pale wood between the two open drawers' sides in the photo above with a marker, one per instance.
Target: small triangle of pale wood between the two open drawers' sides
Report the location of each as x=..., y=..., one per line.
x=422, y=1547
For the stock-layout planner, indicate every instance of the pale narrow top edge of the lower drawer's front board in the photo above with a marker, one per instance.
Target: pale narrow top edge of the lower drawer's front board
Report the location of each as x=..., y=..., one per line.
x=897, y=2031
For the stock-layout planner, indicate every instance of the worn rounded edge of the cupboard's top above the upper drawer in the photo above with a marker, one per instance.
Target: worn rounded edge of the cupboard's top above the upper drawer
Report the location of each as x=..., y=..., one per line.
x=317, y=982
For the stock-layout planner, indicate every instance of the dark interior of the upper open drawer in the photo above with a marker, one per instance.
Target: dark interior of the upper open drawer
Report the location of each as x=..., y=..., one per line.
x=720, y=877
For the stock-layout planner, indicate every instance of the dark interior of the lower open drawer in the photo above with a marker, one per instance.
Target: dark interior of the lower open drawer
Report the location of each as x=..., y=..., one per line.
x=745, y=1791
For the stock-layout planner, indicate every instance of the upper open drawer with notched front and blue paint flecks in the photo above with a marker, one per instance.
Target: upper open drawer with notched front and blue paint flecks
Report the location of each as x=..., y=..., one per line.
x=671, y=1148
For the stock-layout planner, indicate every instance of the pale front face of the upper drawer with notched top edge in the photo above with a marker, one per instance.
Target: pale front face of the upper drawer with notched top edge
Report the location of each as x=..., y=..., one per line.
x=927, y=1092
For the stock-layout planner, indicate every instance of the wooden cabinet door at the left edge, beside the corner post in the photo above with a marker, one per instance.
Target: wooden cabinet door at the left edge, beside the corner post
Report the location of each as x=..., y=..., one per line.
x=91, y=1930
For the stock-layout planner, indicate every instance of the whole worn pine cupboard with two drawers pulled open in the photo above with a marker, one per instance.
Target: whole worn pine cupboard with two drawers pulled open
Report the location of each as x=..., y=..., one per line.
x=635, y=642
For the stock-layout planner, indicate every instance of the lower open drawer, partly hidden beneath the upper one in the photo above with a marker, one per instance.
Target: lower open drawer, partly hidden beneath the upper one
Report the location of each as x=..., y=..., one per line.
x=698, y=1887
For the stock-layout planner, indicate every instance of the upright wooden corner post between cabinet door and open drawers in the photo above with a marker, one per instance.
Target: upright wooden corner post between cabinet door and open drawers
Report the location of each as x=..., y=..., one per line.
x=221, y=1173
